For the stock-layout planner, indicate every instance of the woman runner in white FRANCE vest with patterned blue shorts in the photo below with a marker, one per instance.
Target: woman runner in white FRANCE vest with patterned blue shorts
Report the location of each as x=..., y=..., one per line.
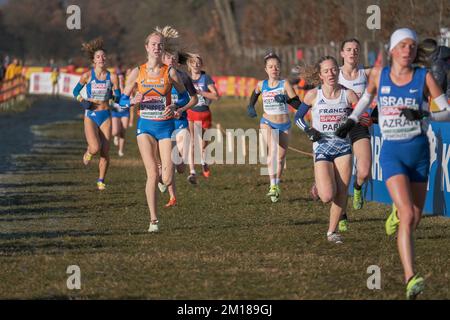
x=330, y=103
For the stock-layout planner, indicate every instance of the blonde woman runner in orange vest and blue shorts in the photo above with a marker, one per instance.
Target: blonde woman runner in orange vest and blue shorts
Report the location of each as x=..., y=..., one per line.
x=155, y=125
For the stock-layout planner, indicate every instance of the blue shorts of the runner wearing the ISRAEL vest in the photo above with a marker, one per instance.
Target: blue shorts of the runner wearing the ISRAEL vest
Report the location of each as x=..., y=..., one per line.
x=408, y=157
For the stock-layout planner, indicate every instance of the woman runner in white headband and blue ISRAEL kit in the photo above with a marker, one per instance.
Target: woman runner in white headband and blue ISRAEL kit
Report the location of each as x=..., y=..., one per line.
x=405, y=157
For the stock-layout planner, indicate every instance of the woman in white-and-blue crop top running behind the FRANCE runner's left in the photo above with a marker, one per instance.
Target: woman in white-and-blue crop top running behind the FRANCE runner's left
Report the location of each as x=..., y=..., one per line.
x=275, y=123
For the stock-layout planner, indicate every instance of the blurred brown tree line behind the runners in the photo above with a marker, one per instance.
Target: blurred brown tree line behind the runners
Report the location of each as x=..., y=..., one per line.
x=220, y=30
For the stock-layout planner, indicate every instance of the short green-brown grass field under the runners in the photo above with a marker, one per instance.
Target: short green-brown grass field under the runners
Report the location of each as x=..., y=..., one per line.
x=224, y=240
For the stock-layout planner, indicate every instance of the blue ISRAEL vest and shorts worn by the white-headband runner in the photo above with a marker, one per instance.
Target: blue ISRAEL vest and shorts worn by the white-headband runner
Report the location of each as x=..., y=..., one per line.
x=400, y=135
